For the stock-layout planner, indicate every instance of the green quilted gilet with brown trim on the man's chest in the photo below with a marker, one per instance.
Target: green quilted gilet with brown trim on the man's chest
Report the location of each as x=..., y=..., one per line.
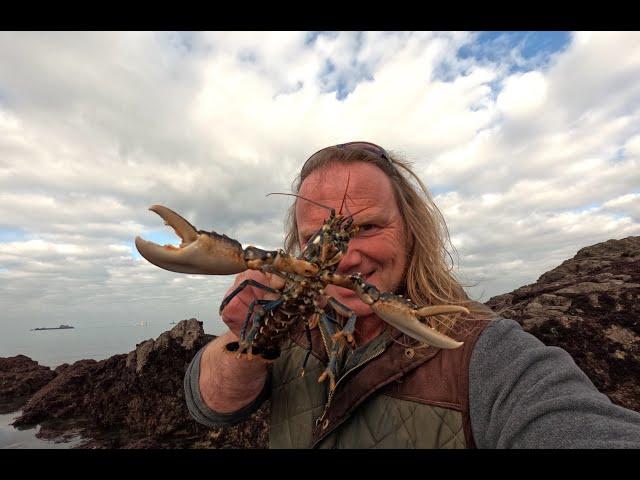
x=387, y=396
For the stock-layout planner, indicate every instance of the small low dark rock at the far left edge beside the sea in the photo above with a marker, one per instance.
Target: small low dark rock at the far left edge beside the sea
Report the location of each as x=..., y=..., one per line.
x=20, y=377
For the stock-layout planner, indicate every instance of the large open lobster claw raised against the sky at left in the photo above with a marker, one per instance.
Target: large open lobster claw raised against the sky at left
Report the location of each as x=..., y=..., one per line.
x=200, y=252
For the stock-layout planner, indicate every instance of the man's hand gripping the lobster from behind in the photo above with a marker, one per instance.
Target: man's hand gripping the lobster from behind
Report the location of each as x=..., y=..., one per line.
x=235, y=312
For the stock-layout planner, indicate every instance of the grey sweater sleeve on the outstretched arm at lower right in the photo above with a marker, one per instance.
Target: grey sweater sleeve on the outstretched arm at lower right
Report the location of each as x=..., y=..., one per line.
x=524, y=394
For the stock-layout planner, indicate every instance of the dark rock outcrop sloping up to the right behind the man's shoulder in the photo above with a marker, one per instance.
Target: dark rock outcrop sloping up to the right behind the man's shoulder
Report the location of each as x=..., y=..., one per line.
x=589, y=306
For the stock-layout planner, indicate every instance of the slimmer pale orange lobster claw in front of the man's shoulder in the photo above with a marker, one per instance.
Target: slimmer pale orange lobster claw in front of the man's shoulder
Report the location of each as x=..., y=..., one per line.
x=403, y=317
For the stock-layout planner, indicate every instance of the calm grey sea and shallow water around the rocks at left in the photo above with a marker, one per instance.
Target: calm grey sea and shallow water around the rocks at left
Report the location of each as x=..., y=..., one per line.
x=52, y=348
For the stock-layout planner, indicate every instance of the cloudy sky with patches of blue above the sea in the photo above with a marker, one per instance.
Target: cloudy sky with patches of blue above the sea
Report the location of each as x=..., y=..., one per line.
x=528, y=141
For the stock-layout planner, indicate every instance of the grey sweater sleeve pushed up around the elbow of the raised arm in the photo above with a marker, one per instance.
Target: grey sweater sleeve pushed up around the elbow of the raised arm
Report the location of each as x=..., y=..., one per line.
x=202, y=413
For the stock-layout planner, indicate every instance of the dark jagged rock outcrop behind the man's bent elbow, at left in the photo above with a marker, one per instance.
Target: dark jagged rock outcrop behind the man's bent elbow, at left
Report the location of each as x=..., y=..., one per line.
x=136, y=400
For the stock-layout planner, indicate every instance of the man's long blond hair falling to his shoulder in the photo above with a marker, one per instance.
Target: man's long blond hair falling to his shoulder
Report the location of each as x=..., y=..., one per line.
x=429, y=279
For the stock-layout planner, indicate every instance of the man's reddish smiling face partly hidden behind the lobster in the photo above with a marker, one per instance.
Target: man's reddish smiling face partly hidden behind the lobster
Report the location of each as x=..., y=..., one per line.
x=379, y=250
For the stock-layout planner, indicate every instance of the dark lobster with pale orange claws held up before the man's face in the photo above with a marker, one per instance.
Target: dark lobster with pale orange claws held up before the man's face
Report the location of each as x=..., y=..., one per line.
x=302, y=298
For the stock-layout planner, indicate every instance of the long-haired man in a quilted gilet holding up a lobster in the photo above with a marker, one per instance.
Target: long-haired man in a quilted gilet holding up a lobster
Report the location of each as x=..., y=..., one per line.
x=501, y=389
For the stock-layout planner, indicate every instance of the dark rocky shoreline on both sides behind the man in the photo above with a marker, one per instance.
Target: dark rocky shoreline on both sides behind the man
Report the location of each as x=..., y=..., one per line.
x=589, y=305
